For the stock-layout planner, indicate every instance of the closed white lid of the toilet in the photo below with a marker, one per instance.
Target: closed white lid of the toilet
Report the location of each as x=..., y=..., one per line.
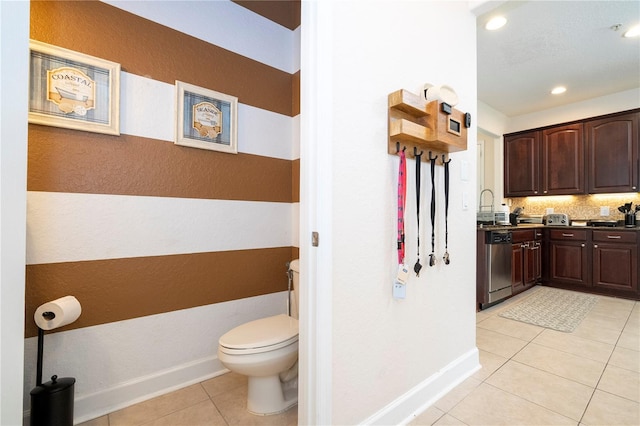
x=260, y=333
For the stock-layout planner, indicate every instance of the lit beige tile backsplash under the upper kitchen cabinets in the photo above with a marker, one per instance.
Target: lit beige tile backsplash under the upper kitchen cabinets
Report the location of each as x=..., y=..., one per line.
x=578, y=206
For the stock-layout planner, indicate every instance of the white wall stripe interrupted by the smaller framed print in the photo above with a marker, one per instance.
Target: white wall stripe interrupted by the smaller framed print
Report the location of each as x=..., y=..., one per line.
x=148, y=110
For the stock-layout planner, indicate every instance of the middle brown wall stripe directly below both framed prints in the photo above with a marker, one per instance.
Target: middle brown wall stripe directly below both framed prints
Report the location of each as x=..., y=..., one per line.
x=63, y=160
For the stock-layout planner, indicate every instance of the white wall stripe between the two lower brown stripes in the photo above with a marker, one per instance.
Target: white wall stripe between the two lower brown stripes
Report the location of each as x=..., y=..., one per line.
x=65, y=227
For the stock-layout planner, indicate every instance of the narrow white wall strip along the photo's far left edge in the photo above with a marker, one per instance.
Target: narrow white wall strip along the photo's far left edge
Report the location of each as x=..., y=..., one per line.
x=14, y=66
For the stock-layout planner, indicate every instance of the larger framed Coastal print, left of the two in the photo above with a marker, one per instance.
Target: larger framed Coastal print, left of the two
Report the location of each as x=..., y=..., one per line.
x=73, y=90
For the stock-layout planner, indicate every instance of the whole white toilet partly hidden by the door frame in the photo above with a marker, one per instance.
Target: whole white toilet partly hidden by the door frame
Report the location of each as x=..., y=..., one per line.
x=266, y=350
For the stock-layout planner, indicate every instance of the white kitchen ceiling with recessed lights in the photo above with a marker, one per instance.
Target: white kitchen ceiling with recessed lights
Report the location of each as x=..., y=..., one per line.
x=550, y=43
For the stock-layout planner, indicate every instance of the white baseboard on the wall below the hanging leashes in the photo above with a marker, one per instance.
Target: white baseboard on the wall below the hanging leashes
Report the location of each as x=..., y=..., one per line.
x=415, y=401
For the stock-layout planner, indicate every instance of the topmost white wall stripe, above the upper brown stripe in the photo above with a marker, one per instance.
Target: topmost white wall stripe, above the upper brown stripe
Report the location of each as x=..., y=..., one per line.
x=217, y=22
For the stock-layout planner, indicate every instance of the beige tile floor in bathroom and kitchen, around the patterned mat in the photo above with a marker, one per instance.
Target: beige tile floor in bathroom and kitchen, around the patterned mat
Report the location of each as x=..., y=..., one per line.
x=529, y=376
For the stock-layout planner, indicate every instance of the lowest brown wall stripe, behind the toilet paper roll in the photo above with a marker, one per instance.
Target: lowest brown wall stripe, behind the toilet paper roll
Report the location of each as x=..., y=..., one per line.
x=120, y=289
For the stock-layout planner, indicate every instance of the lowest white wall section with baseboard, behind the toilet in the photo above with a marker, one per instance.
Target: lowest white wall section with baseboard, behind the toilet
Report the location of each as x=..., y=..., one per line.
x=119, y=363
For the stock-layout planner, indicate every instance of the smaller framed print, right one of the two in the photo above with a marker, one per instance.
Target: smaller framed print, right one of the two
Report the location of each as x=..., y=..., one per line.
x=206, y=119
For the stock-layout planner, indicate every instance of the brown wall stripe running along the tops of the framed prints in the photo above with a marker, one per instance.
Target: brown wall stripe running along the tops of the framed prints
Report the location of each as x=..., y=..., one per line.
x=152, y=50
